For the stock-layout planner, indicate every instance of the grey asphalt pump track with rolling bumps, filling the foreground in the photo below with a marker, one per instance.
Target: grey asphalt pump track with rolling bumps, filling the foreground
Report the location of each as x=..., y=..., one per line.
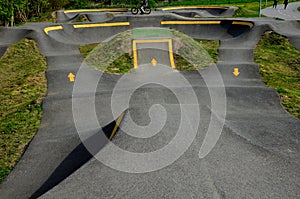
x=257, y=153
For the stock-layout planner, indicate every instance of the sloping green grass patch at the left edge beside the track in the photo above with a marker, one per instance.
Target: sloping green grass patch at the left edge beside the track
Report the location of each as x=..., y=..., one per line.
x=22, y=87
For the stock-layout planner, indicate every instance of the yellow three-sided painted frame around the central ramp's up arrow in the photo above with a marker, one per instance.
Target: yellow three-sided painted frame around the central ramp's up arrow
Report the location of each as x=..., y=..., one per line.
x=135, y=62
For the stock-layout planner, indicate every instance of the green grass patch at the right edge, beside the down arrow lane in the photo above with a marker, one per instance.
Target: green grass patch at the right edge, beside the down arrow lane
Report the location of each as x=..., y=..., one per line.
x=280, y=69
